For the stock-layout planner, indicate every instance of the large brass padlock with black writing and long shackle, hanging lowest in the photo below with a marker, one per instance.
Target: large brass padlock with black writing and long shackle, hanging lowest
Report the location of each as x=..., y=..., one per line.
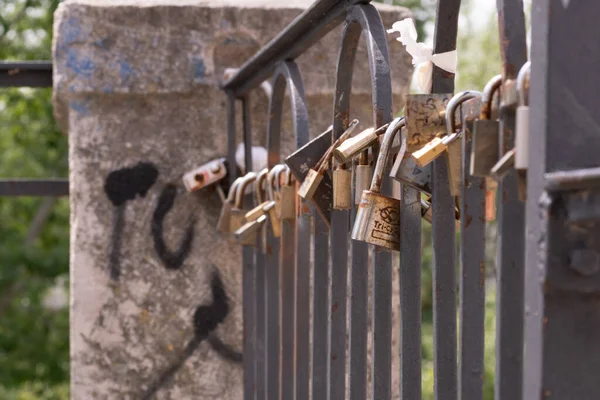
x=378, y=218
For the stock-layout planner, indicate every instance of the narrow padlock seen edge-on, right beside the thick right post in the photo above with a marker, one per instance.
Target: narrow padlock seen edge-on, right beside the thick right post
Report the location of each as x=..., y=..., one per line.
x=522, y=122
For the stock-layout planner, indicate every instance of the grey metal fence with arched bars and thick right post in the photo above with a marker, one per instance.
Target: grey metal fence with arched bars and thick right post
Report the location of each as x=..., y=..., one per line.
x=279, y=360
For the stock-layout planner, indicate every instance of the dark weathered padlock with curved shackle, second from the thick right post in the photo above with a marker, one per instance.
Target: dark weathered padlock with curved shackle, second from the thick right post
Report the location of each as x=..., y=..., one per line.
x=486, y=133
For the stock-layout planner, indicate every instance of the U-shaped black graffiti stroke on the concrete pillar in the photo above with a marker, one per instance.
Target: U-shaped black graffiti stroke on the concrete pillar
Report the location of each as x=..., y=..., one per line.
x=171, y=259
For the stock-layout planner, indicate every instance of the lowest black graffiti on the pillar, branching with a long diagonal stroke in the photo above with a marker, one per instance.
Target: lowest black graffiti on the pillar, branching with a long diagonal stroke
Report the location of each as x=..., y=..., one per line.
x=206, y=319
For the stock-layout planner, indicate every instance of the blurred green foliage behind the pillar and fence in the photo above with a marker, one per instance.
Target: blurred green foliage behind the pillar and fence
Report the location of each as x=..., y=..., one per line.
x=34, y=350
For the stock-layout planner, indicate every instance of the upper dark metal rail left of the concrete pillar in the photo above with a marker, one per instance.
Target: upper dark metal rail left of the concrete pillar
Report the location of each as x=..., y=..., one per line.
x=26, y=74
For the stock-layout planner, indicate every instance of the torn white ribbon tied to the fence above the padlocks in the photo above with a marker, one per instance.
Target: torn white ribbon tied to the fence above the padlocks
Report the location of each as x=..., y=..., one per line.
x=422, y=54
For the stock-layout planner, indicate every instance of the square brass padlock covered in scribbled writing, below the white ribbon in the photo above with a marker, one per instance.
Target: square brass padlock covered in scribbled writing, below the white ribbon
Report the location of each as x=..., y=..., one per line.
x=425, y=115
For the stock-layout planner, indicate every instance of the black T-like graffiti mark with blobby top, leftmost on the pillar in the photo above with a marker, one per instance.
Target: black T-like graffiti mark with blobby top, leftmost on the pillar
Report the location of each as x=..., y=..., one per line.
x=121, y=186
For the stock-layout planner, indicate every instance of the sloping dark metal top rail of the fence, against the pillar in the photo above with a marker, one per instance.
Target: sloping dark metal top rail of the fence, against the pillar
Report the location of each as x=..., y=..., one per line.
x=307, y=29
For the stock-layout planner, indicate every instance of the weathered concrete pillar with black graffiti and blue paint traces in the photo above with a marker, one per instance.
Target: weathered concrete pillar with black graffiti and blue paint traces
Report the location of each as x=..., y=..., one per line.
x=136, y=89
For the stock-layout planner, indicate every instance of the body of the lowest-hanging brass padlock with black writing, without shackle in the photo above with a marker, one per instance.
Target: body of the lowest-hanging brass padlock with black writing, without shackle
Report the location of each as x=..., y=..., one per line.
x=378, y=221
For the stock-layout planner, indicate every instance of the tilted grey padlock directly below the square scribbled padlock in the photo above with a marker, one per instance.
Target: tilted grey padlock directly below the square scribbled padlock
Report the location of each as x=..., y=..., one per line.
x=406, y=171
